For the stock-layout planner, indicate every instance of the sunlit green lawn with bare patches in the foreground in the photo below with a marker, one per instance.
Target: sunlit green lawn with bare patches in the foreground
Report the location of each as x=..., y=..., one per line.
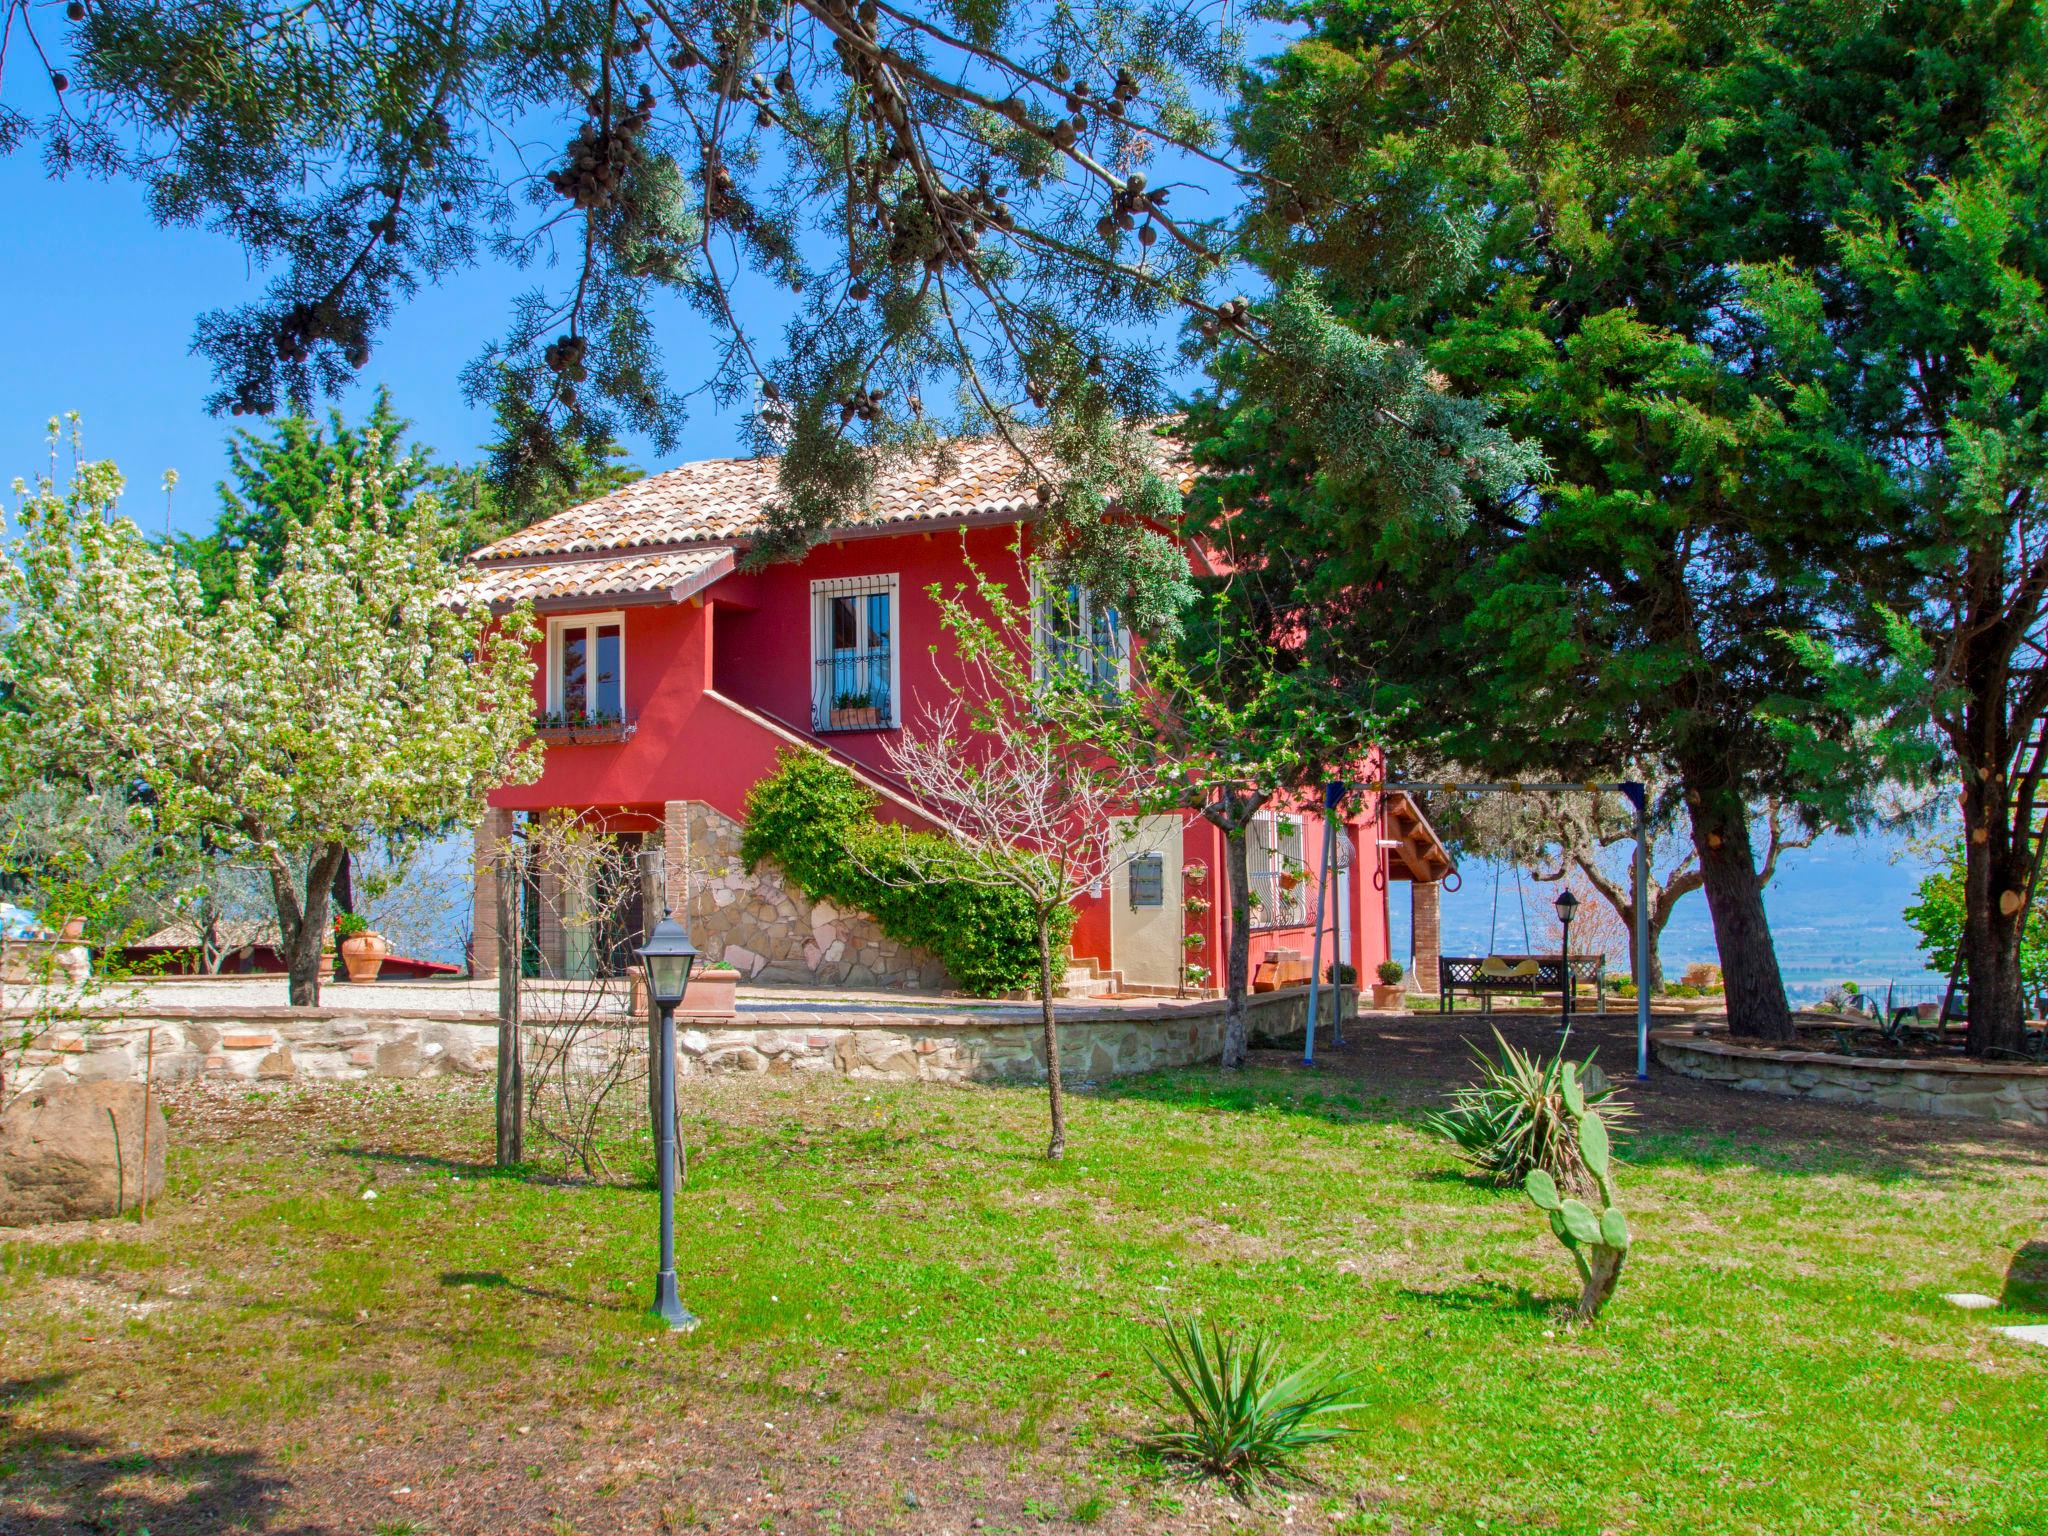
x=914, y=1322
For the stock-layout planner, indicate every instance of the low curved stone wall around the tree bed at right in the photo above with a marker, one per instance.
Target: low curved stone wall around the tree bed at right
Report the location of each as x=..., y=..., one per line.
x=1959, y=1091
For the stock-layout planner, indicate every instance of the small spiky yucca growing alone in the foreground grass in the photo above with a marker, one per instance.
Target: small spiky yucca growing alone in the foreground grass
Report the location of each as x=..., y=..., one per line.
x=1246, y=1416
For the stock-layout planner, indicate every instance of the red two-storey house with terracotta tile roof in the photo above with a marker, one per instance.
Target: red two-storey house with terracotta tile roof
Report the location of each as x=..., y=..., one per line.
x=673, y=681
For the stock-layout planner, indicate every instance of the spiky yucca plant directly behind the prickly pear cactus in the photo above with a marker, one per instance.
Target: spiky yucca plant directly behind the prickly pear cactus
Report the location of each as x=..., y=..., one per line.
x=1514, y=1121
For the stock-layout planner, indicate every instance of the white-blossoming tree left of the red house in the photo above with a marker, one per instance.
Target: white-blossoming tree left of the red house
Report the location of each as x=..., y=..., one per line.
x=296, y=720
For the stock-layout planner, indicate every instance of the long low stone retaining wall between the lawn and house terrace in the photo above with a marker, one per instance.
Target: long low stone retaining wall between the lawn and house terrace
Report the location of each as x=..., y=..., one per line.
x=929, y=1046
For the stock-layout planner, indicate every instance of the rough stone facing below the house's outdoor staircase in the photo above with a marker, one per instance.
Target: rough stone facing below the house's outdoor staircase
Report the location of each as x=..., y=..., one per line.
x=771, y=931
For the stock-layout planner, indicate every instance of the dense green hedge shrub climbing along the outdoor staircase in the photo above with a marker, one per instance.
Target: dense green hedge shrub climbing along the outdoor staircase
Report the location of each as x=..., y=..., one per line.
x=816, y=822
